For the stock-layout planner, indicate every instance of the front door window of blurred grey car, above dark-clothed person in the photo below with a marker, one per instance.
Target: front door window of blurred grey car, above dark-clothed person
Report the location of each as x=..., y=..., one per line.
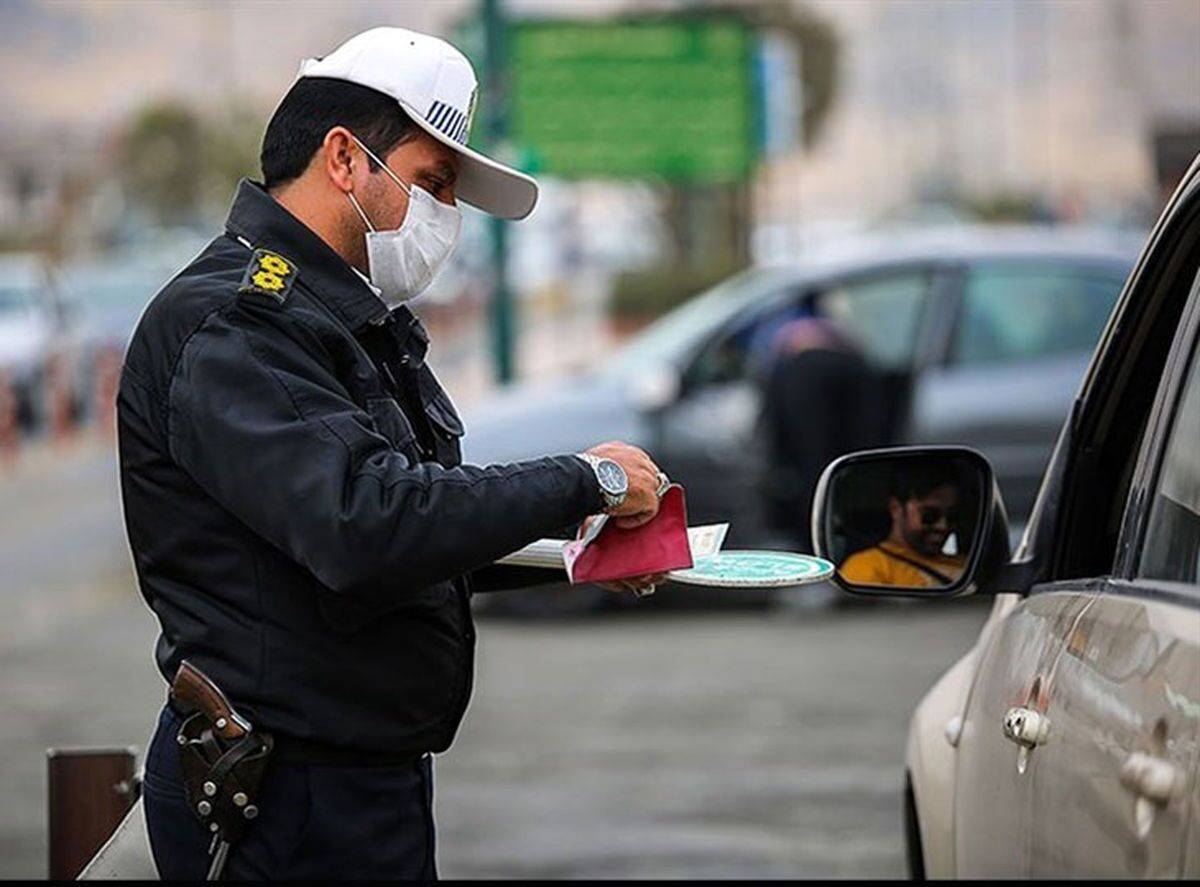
x=883, y=314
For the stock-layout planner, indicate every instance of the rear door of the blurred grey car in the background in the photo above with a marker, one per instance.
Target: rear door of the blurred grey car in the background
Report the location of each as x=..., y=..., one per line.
x=1021, y=344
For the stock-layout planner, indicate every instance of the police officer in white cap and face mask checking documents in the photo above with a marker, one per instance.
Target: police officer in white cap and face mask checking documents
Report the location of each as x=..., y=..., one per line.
x=298, y=514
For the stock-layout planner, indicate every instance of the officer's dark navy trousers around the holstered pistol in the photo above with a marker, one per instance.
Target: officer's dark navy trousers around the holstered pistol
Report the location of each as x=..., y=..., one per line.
x=316, y=822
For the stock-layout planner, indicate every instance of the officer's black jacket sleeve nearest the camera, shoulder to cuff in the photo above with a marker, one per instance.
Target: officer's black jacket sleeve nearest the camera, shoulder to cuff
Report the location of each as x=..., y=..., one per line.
x=260, y=421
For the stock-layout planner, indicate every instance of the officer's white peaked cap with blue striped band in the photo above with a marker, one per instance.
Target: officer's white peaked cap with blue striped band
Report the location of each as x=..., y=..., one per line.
x=436, y=87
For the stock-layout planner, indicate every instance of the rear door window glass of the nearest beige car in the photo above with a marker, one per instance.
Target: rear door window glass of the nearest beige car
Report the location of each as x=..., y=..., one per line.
x=1172, y=548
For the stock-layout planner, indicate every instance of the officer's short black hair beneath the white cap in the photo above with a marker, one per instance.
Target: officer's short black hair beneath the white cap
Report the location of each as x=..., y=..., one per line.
x=315, y=106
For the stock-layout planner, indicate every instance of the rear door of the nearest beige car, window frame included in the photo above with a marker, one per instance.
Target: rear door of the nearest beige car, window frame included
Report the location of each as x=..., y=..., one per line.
x=1117, y=781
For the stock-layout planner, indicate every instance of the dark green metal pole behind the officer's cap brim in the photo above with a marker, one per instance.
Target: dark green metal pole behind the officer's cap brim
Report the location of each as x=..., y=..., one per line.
x=501, y=309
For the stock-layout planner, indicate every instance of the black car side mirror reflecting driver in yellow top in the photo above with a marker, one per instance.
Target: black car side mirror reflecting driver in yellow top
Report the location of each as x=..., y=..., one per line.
x=911, y=522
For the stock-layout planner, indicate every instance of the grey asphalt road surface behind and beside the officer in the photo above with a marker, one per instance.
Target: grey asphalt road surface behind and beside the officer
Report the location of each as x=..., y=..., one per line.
x=641, y=745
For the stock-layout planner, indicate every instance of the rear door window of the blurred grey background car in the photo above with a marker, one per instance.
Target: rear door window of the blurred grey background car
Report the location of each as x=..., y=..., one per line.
x=1025, y=313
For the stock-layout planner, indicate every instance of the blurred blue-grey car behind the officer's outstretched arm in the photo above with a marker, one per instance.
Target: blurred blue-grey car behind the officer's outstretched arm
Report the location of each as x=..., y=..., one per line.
x=977, y=335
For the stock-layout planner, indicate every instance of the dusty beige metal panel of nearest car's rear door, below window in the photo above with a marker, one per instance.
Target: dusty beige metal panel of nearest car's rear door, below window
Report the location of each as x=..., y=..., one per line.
x=1129, y=684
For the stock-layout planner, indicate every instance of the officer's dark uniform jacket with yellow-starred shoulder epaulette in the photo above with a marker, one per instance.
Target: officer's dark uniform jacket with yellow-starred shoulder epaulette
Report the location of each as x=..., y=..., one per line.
x=299, y=518
